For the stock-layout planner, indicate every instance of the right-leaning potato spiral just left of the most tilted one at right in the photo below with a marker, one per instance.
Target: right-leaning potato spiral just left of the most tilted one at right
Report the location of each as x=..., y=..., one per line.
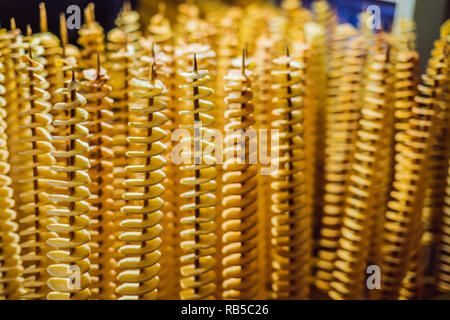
x=359, y=213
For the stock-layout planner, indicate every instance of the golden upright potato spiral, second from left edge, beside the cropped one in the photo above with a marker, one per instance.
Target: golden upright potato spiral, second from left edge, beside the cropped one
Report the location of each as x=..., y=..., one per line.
x=32, y=164
